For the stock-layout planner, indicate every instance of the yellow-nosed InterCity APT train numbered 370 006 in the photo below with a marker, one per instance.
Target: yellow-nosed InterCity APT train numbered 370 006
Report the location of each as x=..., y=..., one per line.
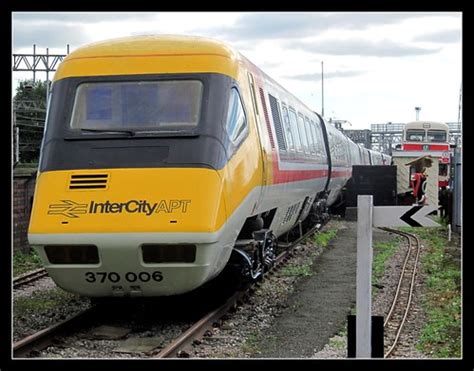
x=166, y=157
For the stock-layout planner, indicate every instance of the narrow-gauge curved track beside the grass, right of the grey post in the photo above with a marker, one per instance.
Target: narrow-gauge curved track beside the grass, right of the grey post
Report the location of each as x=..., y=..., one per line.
x=400, y=308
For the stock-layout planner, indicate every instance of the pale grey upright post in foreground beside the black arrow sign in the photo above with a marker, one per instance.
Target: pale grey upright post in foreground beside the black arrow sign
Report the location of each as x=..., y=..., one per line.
x=364, y=277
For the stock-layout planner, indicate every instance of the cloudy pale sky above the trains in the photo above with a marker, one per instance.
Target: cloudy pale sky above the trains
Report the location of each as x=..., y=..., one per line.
x=377, y=66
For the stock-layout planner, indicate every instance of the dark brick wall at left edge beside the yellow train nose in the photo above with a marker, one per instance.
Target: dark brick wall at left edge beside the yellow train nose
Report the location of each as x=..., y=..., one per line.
x=23, y=190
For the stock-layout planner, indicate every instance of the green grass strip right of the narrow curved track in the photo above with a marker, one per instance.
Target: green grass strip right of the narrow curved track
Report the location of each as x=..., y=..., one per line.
x=441, y=337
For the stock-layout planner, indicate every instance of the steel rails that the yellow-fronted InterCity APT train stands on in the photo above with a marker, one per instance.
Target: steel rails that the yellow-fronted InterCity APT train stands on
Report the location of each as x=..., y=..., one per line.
x=175, y=348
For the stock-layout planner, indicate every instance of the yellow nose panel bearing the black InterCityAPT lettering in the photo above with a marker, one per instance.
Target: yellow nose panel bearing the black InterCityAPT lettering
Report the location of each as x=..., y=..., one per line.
x=136, y=200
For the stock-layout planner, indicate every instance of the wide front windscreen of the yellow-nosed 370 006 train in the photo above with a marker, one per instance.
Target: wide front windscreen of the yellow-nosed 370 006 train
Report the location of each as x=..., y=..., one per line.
x=137, y=106
